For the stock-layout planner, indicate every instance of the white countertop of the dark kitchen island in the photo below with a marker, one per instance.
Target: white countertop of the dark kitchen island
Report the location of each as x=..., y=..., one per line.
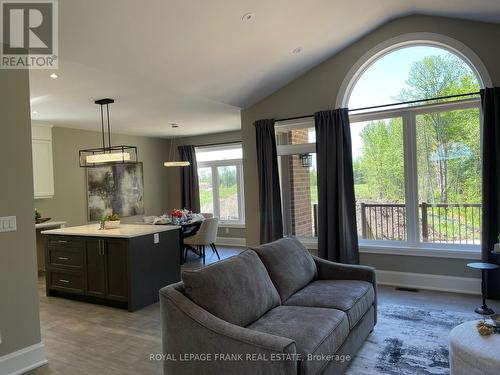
x=124, y=231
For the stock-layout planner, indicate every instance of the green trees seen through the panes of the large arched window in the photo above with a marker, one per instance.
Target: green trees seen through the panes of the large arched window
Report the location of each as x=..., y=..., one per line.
x=448, y=143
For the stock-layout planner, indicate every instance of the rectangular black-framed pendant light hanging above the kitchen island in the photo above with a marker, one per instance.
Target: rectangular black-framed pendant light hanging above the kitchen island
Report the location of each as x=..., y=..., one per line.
x=107, y=154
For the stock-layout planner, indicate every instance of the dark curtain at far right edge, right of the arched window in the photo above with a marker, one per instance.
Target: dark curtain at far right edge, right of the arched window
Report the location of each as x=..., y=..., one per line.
x=490, y=99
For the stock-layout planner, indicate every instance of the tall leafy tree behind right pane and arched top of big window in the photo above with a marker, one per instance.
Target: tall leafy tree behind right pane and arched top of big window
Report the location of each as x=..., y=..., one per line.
x=440, y=133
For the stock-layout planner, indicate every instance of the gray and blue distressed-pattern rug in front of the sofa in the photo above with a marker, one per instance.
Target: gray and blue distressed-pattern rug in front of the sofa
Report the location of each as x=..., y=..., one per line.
x=408, y=340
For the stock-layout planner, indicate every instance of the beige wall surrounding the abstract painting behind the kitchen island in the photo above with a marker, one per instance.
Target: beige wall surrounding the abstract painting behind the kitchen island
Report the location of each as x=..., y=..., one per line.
x=70, y=200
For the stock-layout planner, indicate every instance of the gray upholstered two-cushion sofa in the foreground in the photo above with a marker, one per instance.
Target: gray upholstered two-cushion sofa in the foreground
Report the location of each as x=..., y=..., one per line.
x=274, y=309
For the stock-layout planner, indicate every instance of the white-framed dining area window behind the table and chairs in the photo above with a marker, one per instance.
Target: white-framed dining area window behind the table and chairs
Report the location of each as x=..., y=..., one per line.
x=220, y=177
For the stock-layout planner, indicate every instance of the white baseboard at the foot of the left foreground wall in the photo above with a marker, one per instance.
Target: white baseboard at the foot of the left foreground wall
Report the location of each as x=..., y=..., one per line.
x=23, y=360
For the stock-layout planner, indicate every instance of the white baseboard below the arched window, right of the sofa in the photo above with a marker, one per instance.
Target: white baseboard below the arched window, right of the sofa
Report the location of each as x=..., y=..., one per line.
x=455, y=284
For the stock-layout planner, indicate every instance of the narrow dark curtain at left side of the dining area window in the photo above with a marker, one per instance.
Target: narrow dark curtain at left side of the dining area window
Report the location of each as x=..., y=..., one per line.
x=189, y=180
